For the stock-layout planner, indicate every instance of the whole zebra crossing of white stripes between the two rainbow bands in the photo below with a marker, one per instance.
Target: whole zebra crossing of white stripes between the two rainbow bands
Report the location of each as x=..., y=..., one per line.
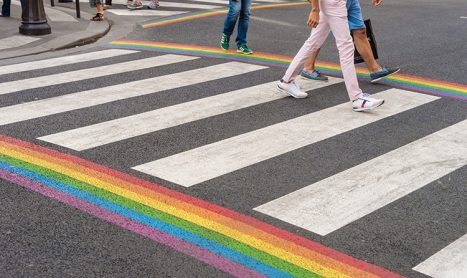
x=322, y=204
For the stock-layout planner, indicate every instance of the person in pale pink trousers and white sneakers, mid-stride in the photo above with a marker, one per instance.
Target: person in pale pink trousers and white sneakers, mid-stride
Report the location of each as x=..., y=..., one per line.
x=326, y=16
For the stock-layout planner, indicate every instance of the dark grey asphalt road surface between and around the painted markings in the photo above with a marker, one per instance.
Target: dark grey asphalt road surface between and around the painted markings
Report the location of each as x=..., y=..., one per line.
x=44, y=238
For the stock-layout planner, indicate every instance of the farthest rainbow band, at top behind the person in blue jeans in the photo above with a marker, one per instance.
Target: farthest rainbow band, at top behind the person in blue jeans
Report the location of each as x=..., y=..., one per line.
x=203, y=14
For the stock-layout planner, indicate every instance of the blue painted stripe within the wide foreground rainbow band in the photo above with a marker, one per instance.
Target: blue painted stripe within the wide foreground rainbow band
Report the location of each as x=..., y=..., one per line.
x=149, y=221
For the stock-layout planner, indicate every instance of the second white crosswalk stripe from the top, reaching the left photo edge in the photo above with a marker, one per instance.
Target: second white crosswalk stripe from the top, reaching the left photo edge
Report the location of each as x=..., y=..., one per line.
x=78, y=75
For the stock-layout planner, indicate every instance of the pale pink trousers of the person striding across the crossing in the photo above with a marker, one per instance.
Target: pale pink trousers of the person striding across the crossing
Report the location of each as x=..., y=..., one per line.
x=333, y=17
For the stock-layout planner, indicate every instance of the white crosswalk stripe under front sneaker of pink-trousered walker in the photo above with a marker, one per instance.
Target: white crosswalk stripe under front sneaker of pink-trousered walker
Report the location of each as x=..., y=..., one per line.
x=213, y=160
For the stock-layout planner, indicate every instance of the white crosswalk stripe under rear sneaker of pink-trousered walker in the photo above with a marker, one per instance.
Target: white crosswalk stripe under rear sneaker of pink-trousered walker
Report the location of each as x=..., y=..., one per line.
x=112, y=131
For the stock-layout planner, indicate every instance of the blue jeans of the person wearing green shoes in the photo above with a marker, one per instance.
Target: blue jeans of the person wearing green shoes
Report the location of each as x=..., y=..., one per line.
x=240, y=8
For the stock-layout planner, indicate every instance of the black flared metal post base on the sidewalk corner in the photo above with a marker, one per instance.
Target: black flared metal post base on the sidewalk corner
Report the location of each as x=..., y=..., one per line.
x=34, y=20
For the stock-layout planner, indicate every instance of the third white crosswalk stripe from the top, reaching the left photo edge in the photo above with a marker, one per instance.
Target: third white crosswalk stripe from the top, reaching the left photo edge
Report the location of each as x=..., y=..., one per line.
x=50, y=106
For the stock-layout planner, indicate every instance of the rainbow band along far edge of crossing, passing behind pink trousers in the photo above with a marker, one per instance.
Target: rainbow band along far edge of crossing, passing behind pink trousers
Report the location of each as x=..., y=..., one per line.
x=403, y=81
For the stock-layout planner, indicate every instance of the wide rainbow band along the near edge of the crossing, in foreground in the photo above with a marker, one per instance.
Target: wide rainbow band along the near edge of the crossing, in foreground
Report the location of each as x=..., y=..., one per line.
x=229, y=241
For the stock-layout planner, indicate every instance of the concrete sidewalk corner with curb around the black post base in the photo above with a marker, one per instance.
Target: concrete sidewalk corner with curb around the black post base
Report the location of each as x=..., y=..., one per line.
x=67, y=30
